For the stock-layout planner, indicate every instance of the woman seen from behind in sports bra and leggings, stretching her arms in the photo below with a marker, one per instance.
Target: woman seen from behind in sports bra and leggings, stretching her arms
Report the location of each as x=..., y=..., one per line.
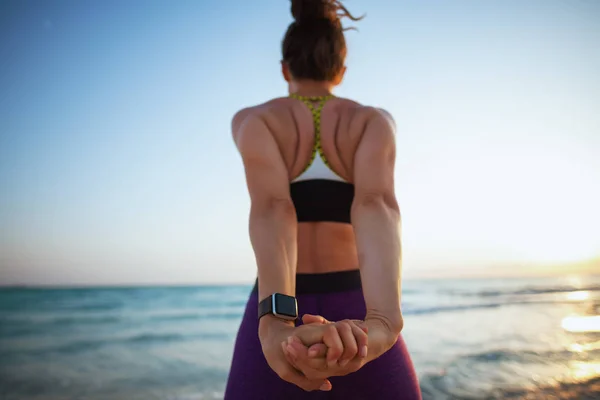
x=324, y=225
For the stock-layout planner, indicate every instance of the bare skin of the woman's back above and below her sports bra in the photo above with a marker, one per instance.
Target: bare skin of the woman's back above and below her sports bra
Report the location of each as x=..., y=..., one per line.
x=322, y=246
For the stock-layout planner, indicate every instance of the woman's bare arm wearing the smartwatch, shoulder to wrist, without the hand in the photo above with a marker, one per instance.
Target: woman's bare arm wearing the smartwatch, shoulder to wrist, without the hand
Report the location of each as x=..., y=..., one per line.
x=273, y=224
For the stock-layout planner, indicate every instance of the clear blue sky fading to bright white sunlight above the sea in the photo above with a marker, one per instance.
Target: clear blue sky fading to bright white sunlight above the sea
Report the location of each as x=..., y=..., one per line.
x=117, y=164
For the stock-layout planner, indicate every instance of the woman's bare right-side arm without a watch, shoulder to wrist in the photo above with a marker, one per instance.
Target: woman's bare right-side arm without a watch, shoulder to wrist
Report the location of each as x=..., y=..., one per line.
x=376, y=222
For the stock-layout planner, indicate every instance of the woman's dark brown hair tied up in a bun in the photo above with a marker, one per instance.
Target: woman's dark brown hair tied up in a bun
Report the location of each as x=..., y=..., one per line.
x=314, y=46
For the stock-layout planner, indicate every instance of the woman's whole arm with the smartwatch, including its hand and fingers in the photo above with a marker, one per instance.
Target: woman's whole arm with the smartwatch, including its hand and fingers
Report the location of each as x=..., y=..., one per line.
x=273, y=233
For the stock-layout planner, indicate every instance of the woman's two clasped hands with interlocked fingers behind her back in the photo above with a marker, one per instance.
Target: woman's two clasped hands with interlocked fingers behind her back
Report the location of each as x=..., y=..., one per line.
x=309, y=354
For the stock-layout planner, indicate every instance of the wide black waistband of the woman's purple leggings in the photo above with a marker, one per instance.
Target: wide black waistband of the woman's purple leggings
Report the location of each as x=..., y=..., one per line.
x=325, y=282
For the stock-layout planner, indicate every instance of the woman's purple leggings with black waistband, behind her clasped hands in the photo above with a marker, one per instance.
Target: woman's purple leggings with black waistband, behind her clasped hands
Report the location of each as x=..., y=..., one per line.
x=335, y=296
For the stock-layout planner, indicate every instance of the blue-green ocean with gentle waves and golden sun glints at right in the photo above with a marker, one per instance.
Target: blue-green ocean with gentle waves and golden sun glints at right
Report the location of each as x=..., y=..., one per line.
x=469, y=339
